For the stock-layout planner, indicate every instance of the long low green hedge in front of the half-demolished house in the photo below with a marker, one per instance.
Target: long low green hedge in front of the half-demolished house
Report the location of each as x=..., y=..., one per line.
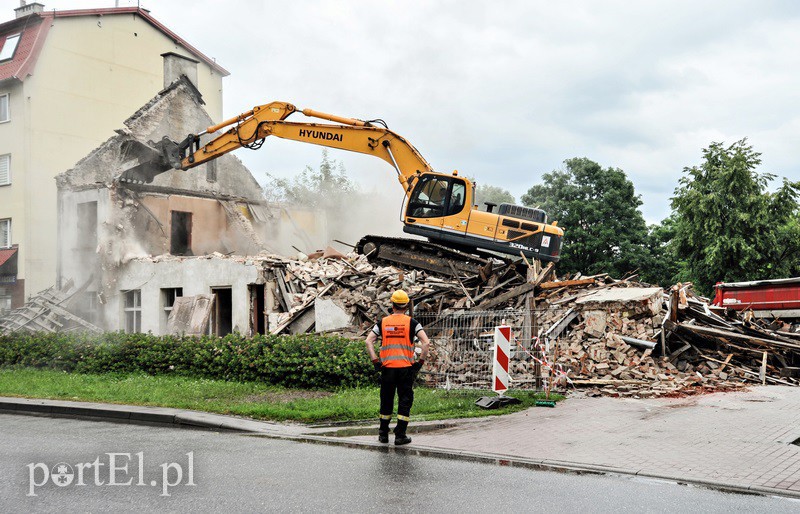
x=308, y=361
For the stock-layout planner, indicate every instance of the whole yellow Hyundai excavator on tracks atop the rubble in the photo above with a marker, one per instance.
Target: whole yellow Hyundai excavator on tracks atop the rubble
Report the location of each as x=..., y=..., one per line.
x=438, y=206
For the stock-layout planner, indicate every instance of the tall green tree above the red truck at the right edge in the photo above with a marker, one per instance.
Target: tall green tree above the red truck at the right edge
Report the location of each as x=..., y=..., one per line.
x=729, y=226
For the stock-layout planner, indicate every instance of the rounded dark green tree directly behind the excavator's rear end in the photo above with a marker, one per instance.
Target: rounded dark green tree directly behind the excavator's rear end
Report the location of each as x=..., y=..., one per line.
x=604, y=230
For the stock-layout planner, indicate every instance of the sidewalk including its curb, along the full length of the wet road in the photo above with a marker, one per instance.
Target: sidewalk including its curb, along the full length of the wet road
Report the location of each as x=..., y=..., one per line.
x=739, y=441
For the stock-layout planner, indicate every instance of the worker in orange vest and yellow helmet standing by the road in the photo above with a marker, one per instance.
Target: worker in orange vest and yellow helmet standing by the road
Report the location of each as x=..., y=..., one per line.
x=397, y=366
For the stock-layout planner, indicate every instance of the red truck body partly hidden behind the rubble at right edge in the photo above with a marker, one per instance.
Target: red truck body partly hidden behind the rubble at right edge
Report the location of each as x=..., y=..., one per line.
x=766, y=298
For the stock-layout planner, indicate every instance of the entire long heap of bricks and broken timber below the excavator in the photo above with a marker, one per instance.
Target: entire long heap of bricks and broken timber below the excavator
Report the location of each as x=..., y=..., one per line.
x=614, y=337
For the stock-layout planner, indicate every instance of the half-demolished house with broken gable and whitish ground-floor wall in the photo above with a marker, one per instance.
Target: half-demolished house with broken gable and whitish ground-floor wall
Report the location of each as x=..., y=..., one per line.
x=110, y=230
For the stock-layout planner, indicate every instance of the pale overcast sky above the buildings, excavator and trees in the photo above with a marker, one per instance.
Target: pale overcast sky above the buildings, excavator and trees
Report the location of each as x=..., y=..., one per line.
x=506, y=91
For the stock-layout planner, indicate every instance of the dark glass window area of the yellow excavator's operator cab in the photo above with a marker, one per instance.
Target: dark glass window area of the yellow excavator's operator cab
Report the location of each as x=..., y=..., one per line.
x=436, y=196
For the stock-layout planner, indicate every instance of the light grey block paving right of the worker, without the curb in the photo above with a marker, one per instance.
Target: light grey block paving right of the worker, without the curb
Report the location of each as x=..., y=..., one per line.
x=741, y=439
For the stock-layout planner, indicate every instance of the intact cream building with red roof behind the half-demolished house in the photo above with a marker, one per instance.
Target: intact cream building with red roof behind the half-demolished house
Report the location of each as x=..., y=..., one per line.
x=68, y=79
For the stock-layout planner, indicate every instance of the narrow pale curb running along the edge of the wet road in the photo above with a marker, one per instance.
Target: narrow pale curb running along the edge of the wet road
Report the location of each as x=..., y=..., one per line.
x=203, y=420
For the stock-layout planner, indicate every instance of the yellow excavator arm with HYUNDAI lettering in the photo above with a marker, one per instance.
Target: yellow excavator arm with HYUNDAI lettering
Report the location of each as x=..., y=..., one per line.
x=250, y=129
